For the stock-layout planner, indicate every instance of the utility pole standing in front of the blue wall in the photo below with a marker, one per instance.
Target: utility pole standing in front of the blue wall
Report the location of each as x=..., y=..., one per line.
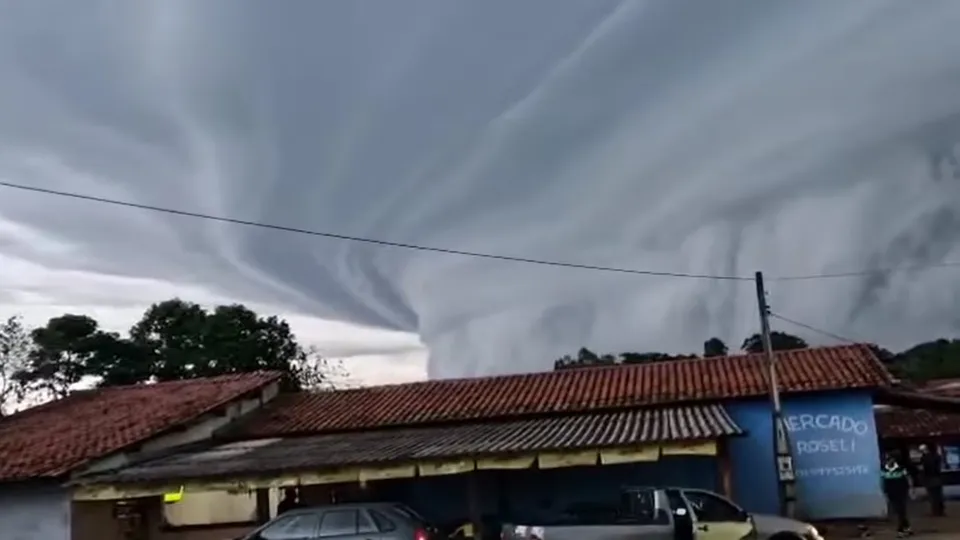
x=786, y=477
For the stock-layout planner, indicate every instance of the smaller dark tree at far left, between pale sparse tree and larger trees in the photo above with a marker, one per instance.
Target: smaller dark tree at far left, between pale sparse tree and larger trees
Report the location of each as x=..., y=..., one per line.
x=59, y=356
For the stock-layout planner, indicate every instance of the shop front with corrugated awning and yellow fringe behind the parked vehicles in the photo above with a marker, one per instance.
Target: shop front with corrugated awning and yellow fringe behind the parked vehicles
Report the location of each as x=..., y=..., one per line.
x=517, y=470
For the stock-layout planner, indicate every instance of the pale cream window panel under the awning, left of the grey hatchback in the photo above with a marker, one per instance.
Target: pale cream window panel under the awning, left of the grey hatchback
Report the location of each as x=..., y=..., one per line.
x=211, y=508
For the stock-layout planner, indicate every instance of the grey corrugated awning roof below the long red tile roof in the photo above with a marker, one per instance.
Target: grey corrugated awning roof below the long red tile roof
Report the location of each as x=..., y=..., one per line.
x=259, y=457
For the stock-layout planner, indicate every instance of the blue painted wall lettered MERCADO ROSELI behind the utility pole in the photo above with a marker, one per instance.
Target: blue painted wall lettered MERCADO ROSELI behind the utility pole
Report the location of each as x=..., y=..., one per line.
x=837, y=457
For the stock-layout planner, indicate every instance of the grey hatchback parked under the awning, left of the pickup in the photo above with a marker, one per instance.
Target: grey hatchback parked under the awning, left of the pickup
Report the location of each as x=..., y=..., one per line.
x=360, y=521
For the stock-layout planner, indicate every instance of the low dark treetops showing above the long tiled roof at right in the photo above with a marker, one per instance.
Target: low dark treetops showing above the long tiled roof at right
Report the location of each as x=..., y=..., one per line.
x=937, y=359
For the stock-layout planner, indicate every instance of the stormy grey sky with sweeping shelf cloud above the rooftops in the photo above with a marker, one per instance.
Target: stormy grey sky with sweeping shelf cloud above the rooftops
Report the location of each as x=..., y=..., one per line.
x=719, y=138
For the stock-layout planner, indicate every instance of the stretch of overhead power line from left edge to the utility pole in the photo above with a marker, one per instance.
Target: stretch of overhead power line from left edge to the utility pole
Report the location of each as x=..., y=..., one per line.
x=374, y=241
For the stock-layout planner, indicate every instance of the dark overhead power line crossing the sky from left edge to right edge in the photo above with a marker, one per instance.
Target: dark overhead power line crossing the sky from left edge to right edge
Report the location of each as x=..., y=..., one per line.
x=464, y=253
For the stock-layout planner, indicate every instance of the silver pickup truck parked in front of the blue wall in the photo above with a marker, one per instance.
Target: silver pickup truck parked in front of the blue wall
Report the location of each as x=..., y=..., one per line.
x=665, y=514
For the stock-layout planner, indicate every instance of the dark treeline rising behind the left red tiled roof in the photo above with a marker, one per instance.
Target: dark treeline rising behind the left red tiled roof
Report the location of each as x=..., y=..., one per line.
x=174, y=340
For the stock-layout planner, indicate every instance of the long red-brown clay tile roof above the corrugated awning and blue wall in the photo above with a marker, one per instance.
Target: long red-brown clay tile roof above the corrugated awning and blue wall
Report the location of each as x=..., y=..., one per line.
x=570, y=391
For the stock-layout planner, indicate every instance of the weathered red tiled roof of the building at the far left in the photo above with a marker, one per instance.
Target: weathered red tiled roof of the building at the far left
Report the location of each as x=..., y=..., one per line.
x=53, y=439
